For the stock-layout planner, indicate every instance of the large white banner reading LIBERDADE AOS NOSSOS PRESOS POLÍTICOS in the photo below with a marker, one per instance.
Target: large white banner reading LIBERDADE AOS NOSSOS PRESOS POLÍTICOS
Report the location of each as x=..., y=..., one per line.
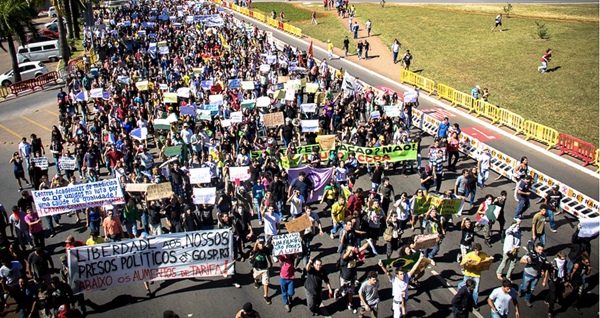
x=168, y=256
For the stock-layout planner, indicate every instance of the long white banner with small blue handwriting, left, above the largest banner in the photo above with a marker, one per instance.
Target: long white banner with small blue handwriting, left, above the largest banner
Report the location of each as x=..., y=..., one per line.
x=77, y=197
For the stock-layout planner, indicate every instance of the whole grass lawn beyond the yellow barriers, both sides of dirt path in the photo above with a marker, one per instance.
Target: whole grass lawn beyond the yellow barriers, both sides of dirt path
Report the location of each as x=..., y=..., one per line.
x=453, y=45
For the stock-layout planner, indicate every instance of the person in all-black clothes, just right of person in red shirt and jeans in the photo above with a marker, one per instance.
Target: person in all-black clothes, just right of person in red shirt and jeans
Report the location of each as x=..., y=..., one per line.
x=314, y=285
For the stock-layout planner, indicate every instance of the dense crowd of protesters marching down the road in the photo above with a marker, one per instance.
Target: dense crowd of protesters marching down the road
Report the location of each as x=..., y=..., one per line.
x=206, y=58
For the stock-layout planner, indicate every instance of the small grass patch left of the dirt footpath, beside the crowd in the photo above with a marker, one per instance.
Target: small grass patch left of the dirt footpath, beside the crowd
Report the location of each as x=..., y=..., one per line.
x=298, y=15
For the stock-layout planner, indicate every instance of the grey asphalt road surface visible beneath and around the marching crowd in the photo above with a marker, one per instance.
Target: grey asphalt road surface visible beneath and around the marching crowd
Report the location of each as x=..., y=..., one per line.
x=217, y=298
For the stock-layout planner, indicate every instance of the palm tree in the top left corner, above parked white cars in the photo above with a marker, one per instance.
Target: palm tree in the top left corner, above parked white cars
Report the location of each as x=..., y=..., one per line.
x=16, y=20
